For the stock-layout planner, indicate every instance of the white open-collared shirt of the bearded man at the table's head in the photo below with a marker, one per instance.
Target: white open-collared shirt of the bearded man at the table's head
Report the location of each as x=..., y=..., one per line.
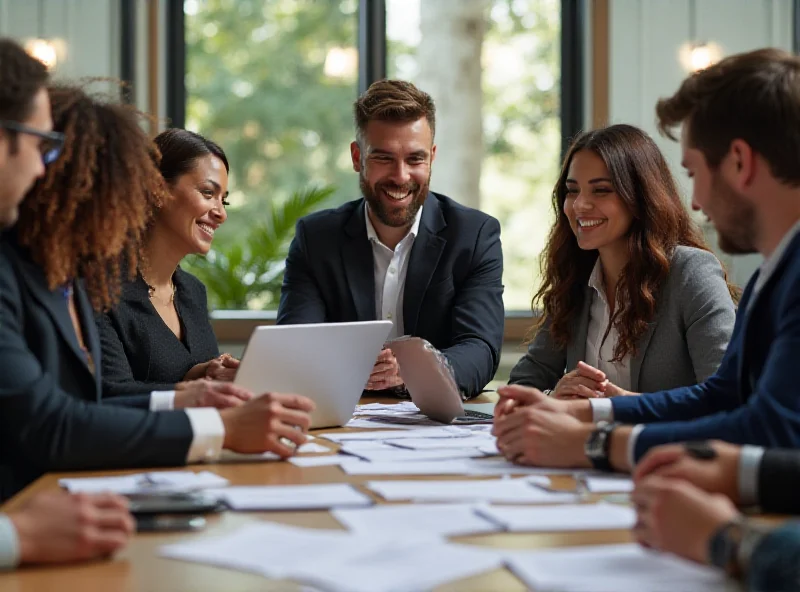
x=390, y=268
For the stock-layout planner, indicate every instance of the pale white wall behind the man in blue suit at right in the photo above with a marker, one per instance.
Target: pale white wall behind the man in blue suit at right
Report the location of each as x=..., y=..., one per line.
x=646, y=37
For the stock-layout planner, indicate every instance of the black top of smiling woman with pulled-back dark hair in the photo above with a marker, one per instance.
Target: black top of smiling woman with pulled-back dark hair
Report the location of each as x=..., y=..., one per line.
x=140, y=353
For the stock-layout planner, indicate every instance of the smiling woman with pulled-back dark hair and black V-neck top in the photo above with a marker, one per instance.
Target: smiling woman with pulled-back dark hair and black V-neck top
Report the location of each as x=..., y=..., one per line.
x=159, y=334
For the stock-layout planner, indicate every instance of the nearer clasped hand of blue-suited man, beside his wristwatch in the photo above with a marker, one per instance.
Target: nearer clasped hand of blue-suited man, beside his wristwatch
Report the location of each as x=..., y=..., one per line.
x=541, y=436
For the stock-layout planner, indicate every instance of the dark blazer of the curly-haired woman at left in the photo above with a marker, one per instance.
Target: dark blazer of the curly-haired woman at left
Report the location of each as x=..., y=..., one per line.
x=51, y=416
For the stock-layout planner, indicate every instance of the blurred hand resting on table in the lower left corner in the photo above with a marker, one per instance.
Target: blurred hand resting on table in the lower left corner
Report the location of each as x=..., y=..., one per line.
x=57, y=527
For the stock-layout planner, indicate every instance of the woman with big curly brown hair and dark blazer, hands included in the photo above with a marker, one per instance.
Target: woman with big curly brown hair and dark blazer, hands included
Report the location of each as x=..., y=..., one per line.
x=60, y=264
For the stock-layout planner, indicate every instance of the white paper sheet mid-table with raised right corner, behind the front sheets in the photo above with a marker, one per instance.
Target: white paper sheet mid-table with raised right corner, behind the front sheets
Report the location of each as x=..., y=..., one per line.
x=512, y=491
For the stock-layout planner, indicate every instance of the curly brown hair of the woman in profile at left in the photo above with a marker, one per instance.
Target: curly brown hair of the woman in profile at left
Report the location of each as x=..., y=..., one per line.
x=86, y=216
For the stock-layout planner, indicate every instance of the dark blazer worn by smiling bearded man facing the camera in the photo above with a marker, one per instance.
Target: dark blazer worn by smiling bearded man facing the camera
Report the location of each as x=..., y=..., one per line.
x=453, y=292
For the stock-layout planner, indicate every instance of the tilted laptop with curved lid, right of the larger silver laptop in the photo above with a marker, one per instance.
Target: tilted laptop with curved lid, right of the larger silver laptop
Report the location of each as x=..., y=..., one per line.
x=431, y=385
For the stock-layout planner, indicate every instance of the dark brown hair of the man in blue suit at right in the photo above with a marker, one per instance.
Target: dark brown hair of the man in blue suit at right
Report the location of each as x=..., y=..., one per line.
x=752, y=96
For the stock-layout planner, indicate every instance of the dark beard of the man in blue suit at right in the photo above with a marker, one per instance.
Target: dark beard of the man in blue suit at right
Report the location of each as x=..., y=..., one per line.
x=736, y=220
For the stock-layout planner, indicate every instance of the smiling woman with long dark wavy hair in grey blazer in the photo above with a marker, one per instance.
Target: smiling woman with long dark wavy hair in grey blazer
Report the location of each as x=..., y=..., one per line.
x=632, y=299
